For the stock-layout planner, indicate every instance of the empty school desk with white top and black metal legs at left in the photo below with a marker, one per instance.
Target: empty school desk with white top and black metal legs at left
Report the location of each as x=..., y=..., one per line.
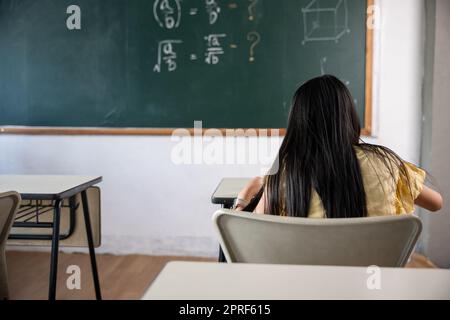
x=37, y=188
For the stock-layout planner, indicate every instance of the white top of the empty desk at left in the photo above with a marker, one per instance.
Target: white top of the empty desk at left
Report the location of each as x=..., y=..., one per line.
x=46, y=187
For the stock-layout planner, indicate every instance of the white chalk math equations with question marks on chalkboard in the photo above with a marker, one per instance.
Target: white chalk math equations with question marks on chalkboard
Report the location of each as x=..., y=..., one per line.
x=170, y=15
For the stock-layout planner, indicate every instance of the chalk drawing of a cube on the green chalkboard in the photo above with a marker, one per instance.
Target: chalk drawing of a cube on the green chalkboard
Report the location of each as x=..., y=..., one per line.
x=325, y=20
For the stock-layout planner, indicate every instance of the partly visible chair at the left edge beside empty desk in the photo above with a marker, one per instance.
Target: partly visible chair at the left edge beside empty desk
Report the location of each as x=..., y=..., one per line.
x=9, y=203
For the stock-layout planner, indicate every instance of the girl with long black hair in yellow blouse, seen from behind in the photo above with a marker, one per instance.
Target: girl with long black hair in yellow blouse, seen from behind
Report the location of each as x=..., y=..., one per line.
x=326, y=171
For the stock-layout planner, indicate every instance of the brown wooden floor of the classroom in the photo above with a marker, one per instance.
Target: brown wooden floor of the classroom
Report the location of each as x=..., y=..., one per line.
x=121, y=277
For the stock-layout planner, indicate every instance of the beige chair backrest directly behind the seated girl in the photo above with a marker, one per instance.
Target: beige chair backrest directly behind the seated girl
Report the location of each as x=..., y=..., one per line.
x=253, y=238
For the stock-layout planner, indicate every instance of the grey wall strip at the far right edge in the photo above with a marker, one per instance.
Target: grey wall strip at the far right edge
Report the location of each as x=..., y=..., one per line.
x=436, y=151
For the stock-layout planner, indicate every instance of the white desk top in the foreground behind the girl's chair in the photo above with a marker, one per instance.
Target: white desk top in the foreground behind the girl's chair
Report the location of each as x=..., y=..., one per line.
x=214, y=281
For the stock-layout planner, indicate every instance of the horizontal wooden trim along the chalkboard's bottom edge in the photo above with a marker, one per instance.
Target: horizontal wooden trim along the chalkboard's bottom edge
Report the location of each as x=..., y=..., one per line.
x=142, y=131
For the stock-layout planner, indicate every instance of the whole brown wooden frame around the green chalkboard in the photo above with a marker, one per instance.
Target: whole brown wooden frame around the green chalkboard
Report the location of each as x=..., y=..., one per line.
x=366, y=130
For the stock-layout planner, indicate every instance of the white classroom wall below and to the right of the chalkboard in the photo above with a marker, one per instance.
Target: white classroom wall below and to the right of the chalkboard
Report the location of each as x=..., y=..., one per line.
x=152, y=206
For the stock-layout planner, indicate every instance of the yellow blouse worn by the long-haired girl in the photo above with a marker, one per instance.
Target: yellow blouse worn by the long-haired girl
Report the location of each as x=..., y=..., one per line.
x=384, y=195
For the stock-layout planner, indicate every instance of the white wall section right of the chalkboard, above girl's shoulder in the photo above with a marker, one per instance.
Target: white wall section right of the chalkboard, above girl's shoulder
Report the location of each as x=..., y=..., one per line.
x=399, y=76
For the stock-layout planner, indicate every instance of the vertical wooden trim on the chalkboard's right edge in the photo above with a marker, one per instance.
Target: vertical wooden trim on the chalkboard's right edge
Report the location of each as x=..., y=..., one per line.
x=367, y=130
